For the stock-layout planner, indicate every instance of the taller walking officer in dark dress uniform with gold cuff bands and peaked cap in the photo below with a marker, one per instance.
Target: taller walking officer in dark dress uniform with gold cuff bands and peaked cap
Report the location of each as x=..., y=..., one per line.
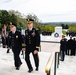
x=32, y=43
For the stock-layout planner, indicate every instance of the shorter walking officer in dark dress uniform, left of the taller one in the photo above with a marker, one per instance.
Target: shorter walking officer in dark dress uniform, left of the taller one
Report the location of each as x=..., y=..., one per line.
x=16, y=42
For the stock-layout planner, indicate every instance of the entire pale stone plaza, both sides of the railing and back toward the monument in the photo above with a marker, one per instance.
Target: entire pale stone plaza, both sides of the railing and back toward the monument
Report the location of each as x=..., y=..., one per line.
x=67, y=67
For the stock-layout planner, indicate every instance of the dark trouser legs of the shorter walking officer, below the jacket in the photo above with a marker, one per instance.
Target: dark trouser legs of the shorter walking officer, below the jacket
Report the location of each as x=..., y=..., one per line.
x=17, y=60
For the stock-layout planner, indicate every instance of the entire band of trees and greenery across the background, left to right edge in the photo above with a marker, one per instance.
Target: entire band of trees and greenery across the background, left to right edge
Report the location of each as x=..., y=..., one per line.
x=20, y=19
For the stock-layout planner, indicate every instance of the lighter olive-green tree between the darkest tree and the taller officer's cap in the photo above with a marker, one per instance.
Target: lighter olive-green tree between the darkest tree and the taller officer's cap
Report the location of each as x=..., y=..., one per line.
x=20, y=20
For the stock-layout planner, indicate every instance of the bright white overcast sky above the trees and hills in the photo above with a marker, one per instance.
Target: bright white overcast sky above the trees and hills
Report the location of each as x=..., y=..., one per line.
x=45, y=10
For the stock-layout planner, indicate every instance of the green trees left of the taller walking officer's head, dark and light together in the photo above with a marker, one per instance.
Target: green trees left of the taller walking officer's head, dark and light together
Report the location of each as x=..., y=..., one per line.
x=12, y=16
